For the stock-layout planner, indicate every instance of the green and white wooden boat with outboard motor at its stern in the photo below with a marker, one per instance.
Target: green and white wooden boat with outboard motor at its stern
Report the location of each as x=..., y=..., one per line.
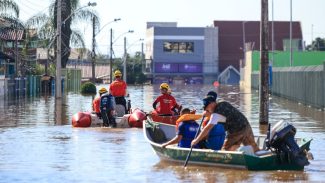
x=158, y=133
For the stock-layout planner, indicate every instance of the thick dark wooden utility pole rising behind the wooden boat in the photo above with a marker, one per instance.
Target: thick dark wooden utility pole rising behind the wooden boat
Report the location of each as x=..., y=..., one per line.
x=264, y=72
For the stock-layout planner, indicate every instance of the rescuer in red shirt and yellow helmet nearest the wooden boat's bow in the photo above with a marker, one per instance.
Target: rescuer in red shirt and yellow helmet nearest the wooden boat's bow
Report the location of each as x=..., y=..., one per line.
x=167, y=103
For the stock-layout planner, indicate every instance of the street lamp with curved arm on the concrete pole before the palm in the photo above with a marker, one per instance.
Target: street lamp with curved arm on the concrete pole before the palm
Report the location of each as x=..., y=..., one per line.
x=58, y=92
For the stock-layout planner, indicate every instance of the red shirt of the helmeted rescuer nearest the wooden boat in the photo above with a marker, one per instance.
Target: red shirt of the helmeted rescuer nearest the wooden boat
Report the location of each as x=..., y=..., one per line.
x=166, y=102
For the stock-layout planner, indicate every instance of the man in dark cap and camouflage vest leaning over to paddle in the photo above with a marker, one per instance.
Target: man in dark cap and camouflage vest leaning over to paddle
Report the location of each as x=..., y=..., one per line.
x=235, y=123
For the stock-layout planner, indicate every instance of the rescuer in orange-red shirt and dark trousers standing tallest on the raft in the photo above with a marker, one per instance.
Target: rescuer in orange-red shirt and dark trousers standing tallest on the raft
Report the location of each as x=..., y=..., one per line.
x=118, y=89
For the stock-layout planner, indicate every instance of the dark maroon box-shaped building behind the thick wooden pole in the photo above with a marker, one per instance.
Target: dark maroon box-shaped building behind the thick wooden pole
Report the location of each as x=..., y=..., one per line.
x=235, y=37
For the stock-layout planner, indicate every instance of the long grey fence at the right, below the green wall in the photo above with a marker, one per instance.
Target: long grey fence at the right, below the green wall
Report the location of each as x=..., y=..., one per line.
x=304, y=84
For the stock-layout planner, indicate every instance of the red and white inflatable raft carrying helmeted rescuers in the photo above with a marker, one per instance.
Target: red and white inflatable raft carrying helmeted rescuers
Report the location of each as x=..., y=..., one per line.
x=90, y=119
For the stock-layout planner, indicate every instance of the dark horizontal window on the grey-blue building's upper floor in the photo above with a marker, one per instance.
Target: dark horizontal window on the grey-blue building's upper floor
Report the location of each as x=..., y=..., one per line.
x=179, y=47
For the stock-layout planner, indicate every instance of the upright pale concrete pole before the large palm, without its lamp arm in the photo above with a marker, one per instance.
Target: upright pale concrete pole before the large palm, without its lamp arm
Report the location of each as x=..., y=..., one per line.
x=58, y=90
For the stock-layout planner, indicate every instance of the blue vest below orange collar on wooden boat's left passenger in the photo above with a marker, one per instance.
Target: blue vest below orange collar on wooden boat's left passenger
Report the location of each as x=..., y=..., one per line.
x=188, y=130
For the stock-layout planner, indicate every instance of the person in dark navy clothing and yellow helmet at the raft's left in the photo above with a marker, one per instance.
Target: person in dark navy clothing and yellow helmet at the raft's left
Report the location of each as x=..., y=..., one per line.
x=107, y=105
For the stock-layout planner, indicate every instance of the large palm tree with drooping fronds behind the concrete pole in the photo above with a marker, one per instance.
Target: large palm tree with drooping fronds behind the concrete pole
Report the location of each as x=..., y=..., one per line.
x=71, y=13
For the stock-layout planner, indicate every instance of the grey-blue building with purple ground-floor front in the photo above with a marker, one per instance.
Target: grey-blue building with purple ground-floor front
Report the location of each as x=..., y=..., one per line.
x=181, y=54
